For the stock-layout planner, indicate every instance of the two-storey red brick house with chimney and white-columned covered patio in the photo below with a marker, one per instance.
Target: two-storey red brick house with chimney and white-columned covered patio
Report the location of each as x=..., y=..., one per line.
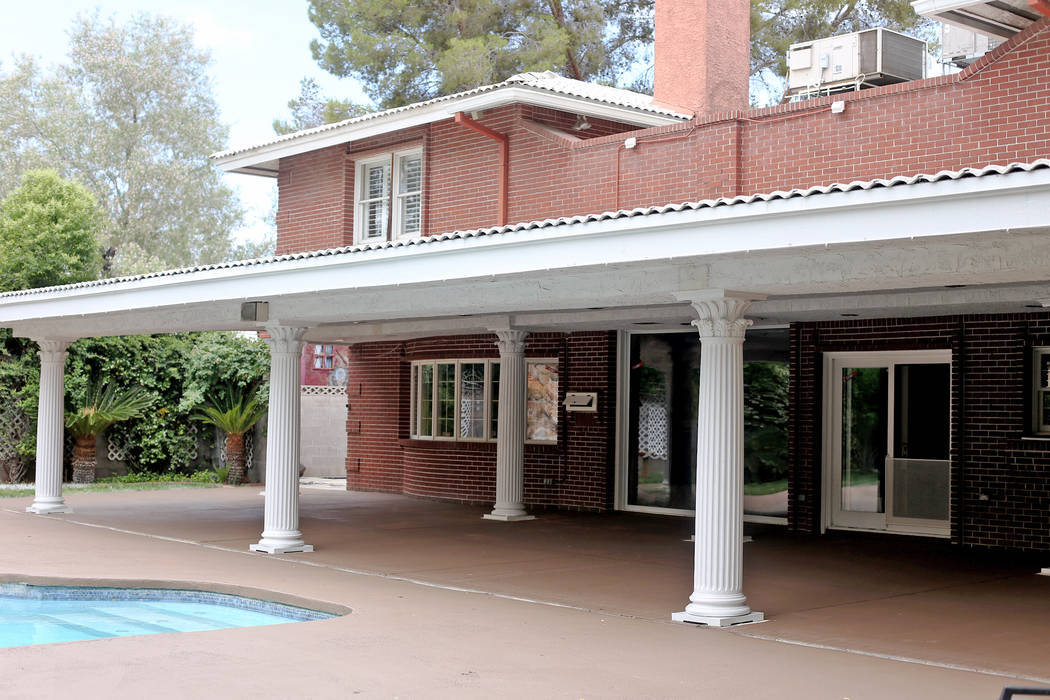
x=871, y=349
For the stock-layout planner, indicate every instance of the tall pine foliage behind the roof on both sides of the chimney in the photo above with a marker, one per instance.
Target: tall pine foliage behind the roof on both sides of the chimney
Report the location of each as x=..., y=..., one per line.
x=407, y=51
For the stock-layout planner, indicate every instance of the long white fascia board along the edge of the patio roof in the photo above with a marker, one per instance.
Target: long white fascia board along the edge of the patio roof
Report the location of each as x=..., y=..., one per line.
x=1004, y=203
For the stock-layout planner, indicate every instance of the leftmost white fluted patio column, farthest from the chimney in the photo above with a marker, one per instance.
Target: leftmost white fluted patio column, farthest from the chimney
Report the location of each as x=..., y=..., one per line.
x=51, y=426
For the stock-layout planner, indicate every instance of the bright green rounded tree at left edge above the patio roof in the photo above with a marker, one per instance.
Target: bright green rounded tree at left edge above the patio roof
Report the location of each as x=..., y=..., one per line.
x=49, y=230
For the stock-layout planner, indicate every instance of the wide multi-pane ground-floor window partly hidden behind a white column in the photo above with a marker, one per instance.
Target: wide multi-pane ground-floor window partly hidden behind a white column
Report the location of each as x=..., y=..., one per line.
x=460, y=400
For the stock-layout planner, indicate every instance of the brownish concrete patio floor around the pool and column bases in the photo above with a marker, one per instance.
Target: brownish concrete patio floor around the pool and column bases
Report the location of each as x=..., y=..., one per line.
x=569, y=605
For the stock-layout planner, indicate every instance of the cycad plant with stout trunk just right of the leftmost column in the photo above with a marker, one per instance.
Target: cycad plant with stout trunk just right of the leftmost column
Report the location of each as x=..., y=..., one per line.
x=104, y=405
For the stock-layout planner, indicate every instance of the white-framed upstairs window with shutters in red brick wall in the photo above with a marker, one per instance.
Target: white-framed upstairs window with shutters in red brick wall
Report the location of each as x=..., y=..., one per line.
x=389, y=197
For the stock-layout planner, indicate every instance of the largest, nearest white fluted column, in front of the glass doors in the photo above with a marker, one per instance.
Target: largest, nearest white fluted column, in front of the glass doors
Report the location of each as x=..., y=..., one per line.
x=718, y=598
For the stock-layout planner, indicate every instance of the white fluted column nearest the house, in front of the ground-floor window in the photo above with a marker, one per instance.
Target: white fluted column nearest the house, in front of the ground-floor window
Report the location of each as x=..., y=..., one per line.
x=511, y=431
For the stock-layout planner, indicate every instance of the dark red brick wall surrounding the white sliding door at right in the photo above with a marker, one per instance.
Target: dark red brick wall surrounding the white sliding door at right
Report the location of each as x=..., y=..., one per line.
x=990, y=393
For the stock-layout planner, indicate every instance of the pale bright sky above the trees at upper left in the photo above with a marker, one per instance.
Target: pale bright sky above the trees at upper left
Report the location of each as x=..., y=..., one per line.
x=260, y=51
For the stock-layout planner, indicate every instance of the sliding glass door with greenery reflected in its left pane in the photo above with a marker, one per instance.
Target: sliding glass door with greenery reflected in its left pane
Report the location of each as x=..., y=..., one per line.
x=888, y=440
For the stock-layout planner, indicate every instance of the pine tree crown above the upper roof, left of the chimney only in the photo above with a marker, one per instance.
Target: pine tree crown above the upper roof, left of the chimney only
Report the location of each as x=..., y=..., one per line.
x=409, y=51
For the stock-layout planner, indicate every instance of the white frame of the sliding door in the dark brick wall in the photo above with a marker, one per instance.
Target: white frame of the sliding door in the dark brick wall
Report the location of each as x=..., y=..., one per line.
x=832, y=440
